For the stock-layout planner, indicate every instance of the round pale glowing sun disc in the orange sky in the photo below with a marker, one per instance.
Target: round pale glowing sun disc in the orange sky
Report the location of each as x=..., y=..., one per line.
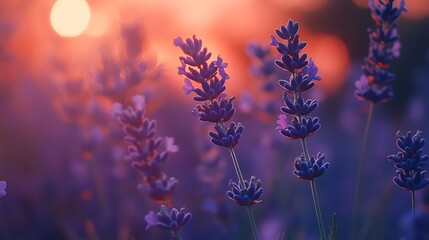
x=69, y=18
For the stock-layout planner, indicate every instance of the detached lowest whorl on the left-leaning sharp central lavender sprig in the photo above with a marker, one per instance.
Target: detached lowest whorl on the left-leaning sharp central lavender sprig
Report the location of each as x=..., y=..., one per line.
x=247, y=195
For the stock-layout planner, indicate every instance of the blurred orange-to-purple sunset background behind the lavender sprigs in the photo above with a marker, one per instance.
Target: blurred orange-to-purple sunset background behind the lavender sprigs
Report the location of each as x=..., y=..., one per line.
x=64, y=63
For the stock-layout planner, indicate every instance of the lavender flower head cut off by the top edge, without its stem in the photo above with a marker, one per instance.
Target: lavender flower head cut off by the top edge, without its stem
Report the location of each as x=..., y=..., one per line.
x=384, y=46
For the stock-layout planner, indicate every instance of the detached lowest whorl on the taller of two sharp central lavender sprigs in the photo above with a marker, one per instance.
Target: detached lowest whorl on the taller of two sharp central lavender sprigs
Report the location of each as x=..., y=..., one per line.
x=310, y=169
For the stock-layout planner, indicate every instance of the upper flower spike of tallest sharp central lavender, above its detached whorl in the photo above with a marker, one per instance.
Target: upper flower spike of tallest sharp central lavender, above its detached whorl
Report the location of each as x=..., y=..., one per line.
x=303, y=73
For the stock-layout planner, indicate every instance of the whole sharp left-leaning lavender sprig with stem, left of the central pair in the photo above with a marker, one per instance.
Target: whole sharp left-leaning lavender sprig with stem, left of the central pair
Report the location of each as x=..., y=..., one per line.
x=216, y=108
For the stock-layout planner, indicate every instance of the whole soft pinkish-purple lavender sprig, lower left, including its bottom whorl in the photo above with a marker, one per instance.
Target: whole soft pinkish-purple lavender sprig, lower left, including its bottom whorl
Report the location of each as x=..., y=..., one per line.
x=148, y=153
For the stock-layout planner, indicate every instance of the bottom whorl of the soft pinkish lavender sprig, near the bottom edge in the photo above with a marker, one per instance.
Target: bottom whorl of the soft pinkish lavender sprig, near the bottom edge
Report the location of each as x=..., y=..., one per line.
x=172, y=220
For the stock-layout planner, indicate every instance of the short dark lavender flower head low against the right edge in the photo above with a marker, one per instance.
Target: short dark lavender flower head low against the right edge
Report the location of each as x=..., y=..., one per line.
x=409, y=162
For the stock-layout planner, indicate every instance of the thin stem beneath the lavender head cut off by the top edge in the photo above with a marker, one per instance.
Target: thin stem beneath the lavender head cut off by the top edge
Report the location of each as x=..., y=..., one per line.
x=362, y=160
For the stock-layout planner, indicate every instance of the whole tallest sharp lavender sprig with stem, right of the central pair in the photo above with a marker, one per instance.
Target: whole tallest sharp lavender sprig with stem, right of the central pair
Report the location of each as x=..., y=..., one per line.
x=303, y=74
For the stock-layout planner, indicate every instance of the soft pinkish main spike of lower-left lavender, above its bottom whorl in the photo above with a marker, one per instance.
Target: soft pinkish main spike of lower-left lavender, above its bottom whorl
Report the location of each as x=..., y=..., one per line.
x=147, y=152
